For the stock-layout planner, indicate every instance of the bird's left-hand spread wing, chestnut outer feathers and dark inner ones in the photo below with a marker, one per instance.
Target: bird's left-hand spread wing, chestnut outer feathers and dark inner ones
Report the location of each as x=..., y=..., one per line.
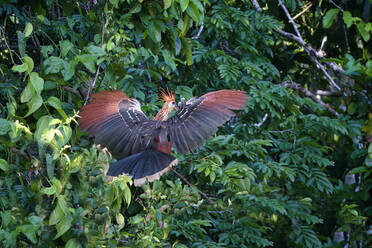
x=117, y=122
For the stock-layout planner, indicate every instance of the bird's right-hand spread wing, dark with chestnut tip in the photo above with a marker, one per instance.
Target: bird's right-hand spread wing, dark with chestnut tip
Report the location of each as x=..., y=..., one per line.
x=199, y=118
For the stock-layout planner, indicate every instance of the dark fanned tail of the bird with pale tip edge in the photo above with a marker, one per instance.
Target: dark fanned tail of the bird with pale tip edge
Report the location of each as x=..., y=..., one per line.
x=147, y=165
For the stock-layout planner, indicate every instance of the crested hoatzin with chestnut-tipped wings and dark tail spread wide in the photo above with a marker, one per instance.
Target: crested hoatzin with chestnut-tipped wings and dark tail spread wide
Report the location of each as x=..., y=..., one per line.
x=142, y=146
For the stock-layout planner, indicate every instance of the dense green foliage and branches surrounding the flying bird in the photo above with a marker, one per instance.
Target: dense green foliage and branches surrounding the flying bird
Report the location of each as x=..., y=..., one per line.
x=292, y=170
